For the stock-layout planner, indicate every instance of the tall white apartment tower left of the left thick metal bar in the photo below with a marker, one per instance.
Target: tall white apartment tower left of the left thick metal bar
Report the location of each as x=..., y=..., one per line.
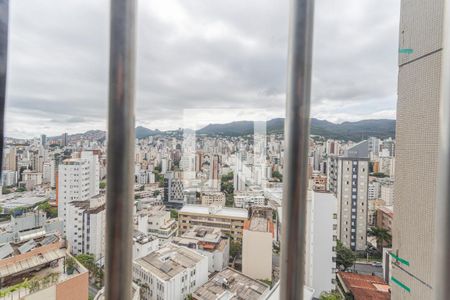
x=78, y=180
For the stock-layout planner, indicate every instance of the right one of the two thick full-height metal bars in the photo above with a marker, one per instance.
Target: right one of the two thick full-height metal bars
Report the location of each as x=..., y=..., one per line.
x=296, y=141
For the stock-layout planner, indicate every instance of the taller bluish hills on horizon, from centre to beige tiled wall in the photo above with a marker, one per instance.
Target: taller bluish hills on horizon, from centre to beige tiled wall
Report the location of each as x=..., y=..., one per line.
x=355, y=131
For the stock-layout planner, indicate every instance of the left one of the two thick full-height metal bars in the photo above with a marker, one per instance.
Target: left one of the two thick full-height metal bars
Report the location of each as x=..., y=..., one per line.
x=121, y=137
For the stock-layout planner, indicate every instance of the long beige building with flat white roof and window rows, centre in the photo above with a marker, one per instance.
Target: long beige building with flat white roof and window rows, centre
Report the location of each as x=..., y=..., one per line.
x=229, y=220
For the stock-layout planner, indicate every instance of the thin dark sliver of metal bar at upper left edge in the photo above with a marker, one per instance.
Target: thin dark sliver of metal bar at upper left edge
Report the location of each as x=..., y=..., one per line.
x=4, y=20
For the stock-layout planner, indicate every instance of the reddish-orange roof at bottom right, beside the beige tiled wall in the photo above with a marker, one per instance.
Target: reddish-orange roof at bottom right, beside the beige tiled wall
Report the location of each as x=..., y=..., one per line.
x=364, y=286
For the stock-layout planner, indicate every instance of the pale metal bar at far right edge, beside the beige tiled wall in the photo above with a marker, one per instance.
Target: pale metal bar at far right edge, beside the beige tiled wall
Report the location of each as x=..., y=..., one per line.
x=442, y=232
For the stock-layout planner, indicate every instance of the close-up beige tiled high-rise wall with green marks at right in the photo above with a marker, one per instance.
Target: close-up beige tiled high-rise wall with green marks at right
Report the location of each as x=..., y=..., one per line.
x=419, y=86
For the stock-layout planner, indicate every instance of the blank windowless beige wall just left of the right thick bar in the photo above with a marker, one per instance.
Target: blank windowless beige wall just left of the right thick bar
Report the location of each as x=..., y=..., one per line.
x=257, y=254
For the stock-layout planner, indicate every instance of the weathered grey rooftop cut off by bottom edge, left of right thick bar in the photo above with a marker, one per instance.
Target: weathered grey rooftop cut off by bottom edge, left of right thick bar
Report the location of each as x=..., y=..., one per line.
x=231, y=284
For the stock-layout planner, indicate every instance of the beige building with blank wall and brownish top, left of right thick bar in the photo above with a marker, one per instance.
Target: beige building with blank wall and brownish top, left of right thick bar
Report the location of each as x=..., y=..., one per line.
x=257, y=245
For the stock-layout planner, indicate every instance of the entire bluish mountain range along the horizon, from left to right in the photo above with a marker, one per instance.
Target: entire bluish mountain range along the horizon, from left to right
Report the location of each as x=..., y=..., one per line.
x=355, y=131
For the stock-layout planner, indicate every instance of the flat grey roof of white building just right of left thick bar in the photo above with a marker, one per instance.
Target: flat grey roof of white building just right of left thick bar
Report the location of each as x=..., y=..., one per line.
x=167, y=262
